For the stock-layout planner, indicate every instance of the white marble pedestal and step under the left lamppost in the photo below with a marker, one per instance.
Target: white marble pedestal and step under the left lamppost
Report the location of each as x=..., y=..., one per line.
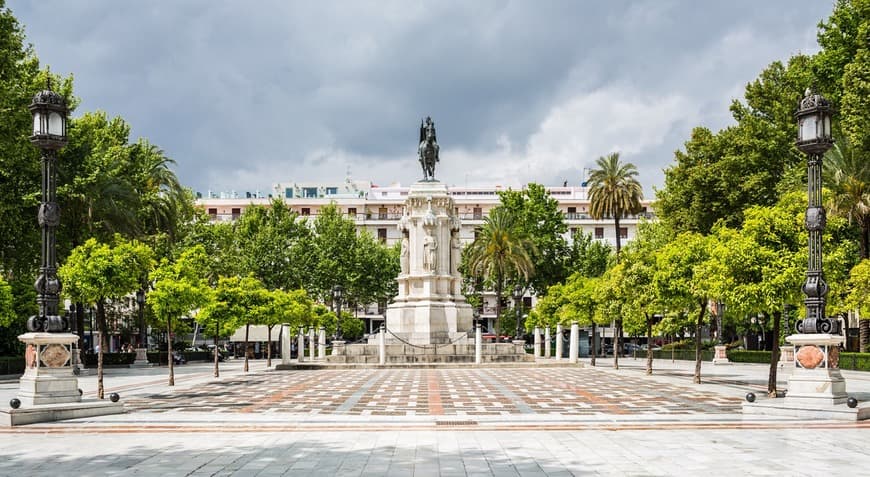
x=48, y=390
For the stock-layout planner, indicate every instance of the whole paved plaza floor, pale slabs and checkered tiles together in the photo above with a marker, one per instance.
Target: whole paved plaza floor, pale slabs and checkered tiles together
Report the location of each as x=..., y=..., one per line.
x=459, y=421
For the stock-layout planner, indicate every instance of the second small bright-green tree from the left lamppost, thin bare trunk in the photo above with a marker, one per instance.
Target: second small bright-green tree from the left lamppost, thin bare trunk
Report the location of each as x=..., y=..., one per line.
x=179, y=288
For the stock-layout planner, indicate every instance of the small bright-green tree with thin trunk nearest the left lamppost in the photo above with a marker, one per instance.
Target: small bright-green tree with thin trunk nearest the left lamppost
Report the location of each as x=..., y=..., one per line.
x=96, y=272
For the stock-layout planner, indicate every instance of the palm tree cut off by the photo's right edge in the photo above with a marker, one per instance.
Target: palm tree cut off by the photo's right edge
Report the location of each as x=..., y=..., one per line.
x=848, y=177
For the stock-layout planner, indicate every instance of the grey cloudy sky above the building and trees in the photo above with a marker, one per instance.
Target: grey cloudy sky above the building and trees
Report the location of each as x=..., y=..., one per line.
x=244, y=94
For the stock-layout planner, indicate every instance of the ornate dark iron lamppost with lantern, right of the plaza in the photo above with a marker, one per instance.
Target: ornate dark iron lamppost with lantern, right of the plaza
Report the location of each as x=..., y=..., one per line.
x=814, y=139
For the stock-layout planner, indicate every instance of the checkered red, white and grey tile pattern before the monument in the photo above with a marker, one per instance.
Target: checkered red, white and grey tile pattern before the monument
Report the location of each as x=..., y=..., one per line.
x=434, y=392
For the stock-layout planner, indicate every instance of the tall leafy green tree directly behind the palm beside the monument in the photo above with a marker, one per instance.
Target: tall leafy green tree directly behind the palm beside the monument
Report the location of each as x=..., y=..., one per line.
x=539, y=219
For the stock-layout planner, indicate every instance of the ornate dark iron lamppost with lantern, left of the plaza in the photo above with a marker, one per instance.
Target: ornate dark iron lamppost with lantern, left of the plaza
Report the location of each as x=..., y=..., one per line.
x=49, y=134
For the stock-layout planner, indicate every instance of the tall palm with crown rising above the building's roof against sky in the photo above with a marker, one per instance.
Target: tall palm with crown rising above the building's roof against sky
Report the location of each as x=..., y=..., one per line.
x=614, y=191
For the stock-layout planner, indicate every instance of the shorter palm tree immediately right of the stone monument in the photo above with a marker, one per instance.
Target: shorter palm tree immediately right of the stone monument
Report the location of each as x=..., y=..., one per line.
x=500, y=251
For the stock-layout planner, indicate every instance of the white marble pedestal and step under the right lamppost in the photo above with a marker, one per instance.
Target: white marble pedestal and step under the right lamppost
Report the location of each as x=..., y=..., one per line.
x=816, y=387
